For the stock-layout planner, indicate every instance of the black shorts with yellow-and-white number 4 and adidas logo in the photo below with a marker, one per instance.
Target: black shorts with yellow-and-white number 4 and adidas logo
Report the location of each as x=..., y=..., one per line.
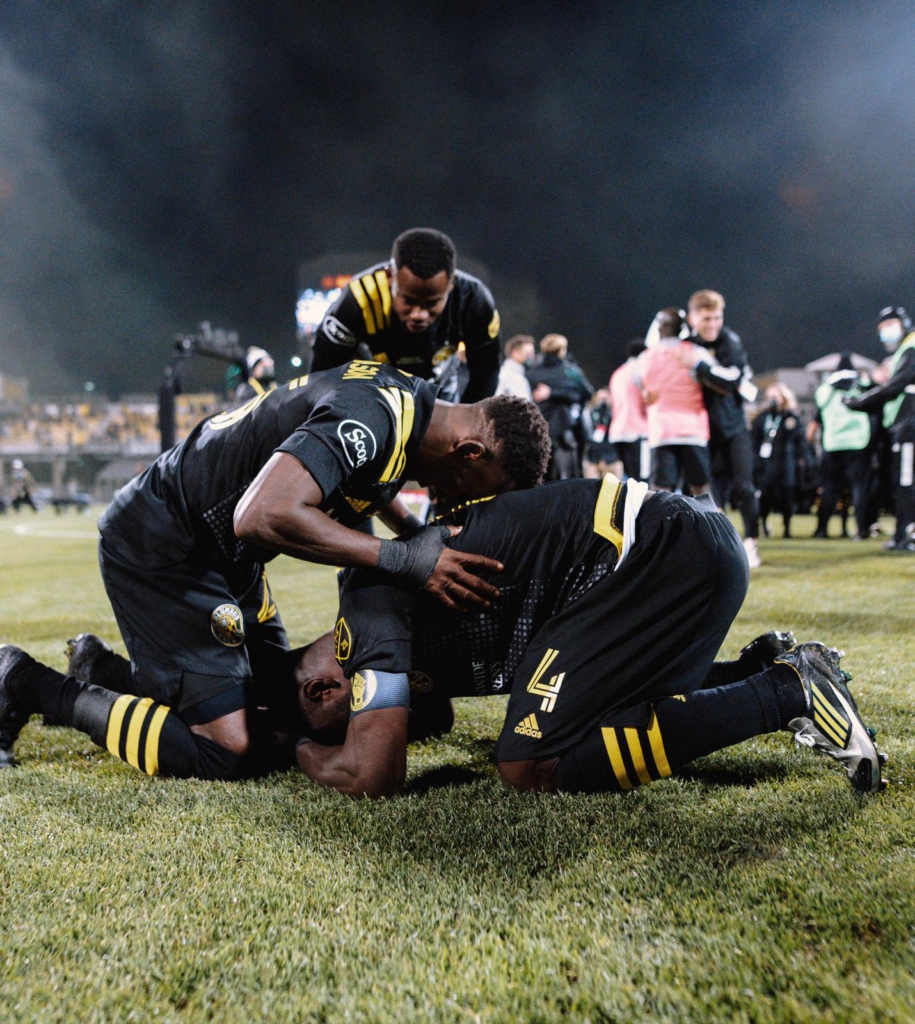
x=647, y=631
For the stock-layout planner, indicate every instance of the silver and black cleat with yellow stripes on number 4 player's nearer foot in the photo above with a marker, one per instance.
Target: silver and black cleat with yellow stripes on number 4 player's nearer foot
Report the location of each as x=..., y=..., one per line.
x=831, y=722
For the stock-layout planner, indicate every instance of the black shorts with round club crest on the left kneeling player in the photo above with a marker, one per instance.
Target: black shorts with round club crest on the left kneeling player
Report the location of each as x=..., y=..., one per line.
x=180, y=656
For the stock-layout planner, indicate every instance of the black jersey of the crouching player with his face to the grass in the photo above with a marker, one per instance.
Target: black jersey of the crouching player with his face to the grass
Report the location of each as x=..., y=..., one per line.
x=384, y=626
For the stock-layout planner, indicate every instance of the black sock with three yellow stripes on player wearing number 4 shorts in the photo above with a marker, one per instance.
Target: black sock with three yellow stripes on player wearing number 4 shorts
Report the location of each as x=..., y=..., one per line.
x=650, y=742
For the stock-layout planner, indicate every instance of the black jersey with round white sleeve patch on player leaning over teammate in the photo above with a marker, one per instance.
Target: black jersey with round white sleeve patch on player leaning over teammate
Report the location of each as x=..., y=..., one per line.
x=356, y=430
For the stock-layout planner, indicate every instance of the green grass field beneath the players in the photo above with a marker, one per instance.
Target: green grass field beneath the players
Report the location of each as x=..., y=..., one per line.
x=756, y=887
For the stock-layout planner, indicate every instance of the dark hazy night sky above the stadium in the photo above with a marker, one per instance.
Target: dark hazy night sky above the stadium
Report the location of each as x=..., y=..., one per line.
x=162, y=164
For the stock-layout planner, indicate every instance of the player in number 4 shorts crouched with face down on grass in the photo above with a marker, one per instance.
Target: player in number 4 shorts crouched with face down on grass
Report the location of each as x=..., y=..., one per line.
x=614, y=605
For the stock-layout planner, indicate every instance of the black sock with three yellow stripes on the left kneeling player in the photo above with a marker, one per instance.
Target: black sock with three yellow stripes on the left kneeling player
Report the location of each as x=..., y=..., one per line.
x=148, y=736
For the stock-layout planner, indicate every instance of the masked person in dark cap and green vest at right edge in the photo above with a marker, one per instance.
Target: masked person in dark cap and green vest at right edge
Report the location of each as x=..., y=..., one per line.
x=897, y=400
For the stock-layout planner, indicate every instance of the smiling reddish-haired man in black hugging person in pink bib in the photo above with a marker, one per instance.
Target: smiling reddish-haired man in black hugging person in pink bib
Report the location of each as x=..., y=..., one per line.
x=727, y=385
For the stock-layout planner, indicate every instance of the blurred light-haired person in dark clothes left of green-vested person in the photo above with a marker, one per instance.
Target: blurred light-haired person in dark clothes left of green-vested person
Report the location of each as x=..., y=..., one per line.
x=781, y=450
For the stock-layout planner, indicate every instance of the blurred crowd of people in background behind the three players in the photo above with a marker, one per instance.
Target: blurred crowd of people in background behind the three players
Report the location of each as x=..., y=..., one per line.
x=680, y=414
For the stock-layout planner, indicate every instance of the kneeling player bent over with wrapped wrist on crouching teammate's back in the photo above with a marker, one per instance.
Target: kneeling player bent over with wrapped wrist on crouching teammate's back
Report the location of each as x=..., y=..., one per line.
x=184, y=548
